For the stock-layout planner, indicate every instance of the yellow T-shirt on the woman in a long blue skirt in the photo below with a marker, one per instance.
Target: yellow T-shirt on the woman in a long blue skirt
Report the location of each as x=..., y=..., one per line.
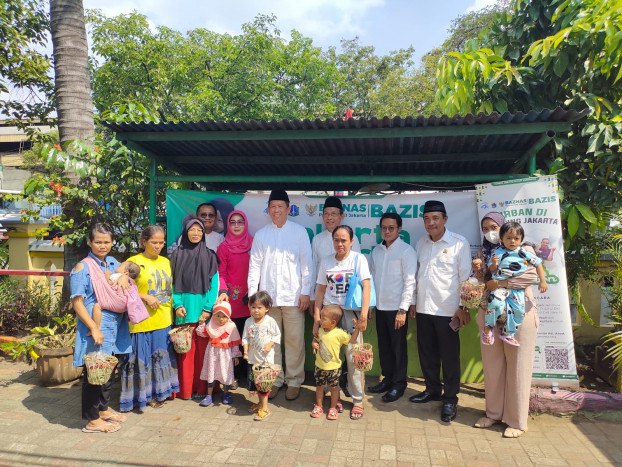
x=155, y=279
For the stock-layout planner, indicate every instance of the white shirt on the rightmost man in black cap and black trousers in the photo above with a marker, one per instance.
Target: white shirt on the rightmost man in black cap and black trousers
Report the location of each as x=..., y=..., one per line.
x=442, y=266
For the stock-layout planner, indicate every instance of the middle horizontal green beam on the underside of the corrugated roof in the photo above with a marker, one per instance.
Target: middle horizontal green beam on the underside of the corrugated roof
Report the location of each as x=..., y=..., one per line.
x=345, y=159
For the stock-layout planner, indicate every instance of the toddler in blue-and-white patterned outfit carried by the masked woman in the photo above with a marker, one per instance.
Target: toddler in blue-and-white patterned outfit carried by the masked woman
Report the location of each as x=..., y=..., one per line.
x=509, y=260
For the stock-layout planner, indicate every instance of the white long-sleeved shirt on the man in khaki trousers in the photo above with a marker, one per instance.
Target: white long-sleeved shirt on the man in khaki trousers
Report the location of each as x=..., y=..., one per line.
x=281, y=263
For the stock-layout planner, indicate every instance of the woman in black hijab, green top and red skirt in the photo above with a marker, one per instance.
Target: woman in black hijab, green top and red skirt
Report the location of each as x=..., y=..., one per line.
x=195, y=289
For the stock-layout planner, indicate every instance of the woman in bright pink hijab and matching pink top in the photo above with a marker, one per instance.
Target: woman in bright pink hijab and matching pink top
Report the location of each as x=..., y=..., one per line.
x=234, y=257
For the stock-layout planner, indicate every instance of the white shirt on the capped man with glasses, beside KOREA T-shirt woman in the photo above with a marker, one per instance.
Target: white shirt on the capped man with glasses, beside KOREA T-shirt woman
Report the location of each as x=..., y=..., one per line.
x=394, y=269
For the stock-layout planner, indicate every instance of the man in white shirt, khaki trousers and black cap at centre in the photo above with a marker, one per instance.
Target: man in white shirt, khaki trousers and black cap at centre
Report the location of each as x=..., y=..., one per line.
x=281, y=264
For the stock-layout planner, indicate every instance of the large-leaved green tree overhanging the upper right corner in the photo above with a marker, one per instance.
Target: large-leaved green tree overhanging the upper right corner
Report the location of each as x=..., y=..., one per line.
x=542, y=54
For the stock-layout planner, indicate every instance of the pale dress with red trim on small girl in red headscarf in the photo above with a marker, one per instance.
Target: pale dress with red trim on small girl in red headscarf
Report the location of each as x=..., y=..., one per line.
x=223, y=347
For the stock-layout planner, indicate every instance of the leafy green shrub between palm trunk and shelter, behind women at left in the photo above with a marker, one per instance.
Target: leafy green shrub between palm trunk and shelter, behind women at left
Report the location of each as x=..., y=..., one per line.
x=112, y=186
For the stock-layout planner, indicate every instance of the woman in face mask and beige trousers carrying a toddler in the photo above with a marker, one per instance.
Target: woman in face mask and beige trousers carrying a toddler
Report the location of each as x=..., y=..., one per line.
x=507, y=368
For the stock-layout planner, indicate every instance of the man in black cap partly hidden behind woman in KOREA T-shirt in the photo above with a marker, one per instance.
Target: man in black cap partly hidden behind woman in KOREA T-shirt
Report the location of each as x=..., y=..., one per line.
x=322, y=243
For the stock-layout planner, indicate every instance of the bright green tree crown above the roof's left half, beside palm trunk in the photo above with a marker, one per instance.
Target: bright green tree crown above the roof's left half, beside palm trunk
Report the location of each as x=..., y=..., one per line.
x=205, y=75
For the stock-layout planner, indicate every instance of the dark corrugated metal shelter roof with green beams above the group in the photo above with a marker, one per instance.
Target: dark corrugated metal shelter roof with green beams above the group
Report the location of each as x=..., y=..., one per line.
x=343, y=155
